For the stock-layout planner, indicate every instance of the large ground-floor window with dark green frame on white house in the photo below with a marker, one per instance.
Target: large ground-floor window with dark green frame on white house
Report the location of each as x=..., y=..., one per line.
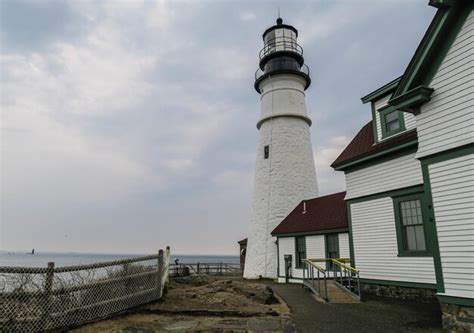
x=410, y=225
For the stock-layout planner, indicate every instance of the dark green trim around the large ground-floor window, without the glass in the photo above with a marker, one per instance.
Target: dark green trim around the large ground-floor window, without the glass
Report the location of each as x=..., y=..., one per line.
x=401, y=242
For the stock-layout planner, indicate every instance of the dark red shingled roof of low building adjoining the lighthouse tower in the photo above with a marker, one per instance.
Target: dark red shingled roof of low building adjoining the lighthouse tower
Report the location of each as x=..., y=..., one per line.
x=322, y=213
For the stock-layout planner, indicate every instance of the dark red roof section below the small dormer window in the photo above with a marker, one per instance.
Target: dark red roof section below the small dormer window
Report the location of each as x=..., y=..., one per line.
x=363, y=144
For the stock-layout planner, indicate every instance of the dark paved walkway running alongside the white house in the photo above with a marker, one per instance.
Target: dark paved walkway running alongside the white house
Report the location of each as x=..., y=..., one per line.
x=310, y=315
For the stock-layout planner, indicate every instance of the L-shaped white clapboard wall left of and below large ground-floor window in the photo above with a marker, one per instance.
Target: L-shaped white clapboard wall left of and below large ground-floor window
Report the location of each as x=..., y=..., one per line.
x=376, y=249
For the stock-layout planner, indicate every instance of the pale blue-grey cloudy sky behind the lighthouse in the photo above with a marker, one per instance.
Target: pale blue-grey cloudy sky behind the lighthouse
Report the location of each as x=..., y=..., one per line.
x=127, y=126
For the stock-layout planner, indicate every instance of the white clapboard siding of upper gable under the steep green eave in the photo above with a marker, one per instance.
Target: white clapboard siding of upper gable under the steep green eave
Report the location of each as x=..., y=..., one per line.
x=447, y=120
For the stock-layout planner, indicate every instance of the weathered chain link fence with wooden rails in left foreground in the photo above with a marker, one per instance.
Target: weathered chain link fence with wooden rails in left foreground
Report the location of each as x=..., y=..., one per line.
x=52, y=298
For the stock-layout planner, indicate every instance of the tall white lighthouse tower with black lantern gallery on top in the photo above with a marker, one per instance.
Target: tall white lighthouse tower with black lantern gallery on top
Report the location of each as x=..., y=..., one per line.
x=285, y=172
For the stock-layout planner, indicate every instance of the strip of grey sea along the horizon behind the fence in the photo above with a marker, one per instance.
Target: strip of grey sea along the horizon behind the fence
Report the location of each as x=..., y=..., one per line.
x=69, y=259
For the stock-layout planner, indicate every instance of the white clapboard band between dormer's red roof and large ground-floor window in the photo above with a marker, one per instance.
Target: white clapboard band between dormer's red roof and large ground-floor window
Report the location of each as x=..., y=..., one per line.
x=390, y=175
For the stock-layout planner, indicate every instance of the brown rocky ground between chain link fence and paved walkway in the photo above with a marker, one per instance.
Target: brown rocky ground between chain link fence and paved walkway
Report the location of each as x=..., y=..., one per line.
x=205, y=304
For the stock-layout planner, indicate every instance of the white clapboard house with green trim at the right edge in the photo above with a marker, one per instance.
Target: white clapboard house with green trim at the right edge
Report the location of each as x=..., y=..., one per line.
x=410, y=175
